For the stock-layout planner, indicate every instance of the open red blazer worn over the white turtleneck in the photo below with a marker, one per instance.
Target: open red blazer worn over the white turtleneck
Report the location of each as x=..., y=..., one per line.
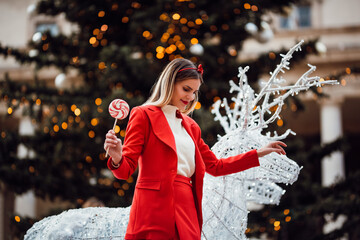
x=150, y=144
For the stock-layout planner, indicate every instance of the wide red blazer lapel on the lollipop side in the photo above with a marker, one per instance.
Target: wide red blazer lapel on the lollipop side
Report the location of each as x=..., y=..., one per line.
x=160, y=125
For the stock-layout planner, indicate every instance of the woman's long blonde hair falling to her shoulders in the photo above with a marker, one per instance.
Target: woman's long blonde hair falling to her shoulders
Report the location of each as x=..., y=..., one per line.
x=163, y=89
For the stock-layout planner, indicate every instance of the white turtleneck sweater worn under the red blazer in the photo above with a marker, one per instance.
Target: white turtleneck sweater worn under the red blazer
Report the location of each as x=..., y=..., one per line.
x=185, y=146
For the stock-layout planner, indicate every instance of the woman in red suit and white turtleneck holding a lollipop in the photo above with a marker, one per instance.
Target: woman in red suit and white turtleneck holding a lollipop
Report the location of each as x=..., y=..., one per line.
x=172, y=158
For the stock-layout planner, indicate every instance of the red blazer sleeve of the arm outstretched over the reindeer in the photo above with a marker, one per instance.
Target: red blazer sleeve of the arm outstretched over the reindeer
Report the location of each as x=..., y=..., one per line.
x=224, y=166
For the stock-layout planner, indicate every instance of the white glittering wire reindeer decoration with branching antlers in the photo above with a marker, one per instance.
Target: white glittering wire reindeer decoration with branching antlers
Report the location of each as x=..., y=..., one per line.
x=224, y=202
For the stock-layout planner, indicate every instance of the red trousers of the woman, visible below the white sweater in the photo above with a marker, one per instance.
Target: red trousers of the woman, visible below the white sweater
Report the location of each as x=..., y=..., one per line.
x=186, y=220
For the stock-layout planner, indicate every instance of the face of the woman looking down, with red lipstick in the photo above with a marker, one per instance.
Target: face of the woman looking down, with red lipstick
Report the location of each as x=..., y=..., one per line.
x=184, y=93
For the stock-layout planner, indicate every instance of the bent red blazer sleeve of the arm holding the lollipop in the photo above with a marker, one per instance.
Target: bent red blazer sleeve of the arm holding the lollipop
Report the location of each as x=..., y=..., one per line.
x=133, y=145
